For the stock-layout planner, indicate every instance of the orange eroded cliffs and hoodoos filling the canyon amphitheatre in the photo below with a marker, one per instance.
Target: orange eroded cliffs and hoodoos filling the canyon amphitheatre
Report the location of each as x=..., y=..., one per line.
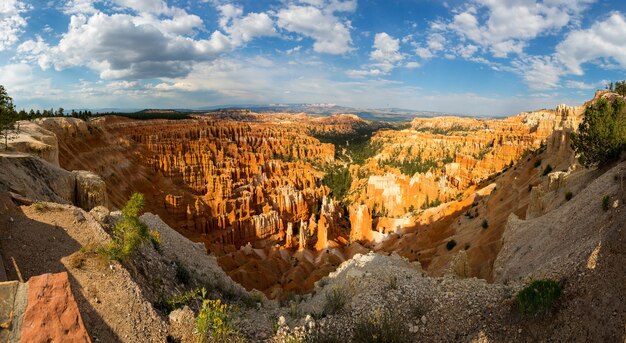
x=250, y=186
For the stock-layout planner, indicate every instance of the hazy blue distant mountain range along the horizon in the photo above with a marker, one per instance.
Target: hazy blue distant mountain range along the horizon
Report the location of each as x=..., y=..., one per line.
x=386, y=114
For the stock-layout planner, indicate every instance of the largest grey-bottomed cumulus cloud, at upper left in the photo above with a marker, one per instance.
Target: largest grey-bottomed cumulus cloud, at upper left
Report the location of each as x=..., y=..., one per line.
x=125, y=46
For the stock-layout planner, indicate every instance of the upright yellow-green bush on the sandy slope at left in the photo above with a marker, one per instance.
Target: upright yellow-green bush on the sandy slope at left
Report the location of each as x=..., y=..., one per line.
x=129, y=233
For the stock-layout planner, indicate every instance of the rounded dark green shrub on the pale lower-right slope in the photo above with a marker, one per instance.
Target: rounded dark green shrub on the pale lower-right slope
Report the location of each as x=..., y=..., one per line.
x=538, y=298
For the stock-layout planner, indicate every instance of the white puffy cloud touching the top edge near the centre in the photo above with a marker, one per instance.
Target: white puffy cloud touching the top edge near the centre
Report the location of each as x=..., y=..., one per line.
x=318, y=20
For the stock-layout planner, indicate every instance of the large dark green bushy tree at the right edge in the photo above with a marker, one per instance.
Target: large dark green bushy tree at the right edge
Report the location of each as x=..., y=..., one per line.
x=601, y=136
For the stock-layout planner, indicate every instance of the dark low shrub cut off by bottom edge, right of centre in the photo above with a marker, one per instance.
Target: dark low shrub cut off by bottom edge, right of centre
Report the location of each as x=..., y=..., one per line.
x=382, y=327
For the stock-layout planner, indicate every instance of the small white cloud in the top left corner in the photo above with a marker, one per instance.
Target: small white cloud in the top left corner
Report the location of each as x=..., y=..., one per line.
x=12, y=22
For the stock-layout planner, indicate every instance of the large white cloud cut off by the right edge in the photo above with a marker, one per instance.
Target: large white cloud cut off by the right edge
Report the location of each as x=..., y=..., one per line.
x=604, y=39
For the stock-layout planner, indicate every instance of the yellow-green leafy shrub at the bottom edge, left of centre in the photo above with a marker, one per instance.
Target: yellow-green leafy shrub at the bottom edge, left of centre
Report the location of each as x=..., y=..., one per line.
x=214, y=321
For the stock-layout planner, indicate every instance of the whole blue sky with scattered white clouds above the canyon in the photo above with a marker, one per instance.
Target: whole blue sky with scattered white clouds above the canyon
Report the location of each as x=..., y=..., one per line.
x=478, y=57
